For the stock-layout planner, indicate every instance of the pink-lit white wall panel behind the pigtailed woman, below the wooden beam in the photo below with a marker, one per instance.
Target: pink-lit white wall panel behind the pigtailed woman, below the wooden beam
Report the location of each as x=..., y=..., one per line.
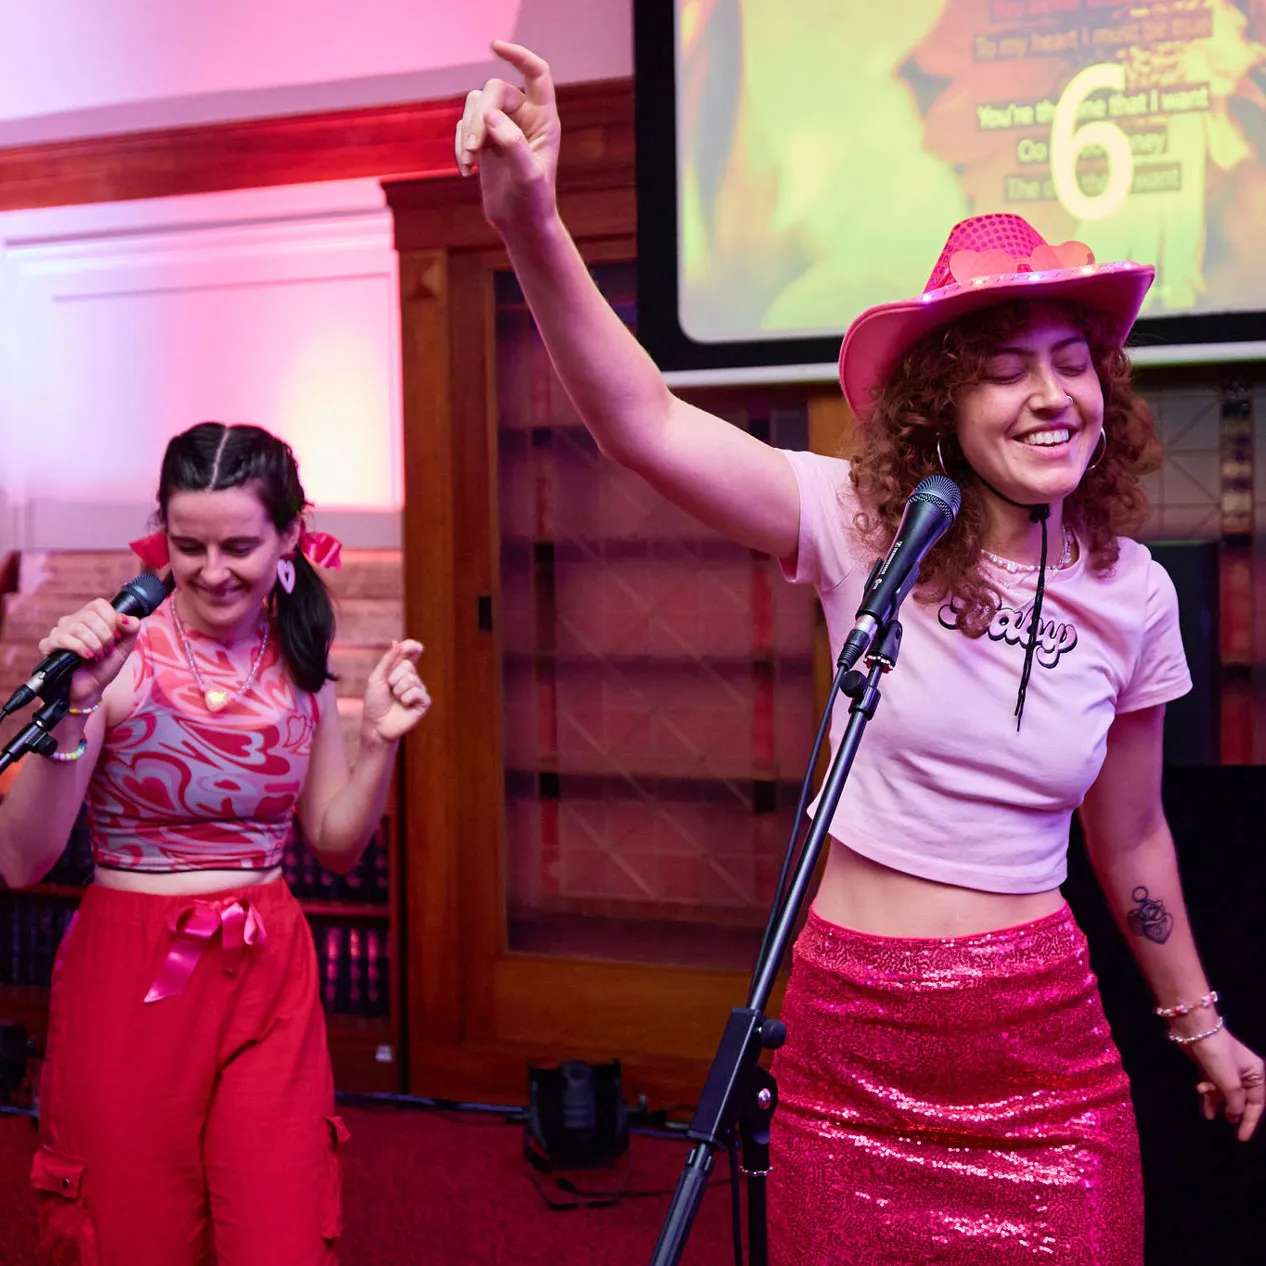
x=128, y=322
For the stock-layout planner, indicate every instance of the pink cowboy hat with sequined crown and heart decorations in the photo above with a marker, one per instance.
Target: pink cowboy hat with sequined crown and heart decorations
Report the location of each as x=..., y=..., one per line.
x=987, y=260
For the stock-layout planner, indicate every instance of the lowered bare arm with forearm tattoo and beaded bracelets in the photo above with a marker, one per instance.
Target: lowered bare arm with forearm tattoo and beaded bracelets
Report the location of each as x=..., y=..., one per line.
x=1132, y=853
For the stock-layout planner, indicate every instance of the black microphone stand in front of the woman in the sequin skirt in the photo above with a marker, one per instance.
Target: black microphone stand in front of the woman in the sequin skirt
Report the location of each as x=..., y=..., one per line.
x=741, y=1094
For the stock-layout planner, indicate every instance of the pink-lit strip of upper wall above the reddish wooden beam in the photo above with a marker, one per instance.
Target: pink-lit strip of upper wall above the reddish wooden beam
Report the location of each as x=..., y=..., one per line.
x=70, y=68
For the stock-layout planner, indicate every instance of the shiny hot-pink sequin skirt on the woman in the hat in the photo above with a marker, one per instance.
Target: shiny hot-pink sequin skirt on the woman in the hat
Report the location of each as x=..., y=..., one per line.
x=951, y=1101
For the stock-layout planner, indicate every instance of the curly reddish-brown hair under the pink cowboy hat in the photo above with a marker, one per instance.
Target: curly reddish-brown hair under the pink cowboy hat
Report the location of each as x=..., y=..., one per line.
x=920, y=407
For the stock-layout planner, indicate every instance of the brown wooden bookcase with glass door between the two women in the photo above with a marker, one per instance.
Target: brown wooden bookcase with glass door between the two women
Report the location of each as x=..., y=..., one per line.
x=493, y=464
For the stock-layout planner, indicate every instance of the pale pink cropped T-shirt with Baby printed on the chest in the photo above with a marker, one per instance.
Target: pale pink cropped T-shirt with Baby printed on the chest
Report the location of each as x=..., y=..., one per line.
x=943, y=786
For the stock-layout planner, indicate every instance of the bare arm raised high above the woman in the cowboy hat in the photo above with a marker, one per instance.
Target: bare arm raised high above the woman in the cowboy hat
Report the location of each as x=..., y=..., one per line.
x=715, y=472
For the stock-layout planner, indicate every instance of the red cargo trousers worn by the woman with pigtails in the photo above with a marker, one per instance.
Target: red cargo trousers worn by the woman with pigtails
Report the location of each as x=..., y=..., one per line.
x=198, y=1129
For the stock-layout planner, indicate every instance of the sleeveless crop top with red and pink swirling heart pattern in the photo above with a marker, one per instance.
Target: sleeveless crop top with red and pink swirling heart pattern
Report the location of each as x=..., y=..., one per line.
x=180, y=788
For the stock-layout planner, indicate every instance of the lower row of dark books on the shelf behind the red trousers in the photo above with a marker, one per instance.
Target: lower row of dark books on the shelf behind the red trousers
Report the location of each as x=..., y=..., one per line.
x=355, y=962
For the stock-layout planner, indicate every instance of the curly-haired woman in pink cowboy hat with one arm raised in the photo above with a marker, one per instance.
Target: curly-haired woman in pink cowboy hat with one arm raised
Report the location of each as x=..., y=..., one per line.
x=949, y=1089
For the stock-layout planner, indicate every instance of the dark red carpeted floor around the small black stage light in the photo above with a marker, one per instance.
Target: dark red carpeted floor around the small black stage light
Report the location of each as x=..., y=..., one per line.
x=426, y=1188
